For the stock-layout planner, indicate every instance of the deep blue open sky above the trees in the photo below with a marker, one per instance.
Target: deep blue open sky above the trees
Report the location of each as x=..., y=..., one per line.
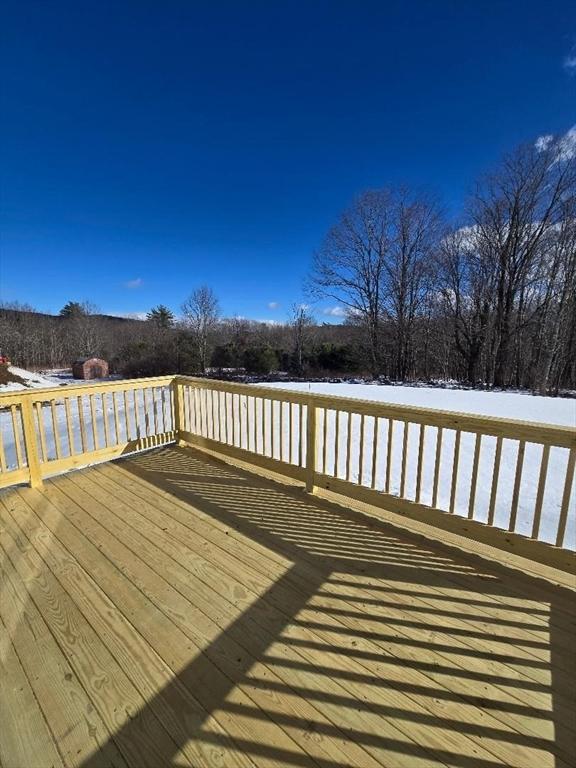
x=149, y=147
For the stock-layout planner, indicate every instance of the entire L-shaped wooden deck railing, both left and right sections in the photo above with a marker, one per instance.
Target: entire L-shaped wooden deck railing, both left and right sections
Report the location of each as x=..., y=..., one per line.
x=466, y=474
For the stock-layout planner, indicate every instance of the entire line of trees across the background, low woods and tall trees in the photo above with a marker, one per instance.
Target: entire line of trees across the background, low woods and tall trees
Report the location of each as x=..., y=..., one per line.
x=489, y=299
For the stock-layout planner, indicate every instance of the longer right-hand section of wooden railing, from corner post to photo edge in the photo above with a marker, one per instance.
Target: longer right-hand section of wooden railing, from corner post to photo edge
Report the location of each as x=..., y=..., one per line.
x=360, y=449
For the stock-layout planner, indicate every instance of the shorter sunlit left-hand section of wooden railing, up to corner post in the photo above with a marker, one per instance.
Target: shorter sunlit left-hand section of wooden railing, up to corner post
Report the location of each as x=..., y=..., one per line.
x=47, y=431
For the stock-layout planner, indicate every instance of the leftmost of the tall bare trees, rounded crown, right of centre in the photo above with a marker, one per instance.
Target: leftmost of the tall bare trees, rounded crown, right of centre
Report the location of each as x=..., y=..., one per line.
x=377, y=262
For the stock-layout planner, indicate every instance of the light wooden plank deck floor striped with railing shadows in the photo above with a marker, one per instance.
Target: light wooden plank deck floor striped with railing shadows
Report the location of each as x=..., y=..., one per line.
x=170, y=610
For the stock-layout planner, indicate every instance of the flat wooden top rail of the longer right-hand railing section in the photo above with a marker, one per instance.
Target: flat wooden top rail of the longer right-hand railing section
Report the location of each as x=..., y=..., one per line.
x=514, y=429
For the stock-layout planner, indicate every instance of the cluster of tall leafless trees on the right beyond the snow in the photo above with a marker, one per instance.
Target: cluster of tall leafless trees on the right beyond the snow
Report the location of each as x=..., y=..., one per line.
x=488, y=300
